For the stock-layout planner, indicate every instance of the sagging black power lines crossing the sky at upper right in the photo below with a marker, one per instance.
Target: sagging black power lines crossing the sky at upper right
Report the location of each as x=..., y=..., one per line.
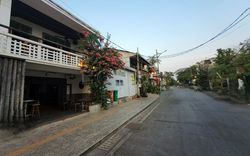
x=233, y=24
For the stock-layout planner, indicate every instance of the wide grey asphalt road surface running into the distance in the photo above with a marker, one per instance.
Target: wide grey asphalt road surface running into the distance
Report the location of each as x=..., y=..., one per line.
x=188, y=123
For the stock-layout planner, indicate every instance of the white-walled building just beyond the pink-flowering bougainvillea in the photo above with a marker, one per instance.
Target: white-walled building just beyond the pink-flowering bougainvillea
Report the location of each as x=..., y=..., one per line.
x=127, y=82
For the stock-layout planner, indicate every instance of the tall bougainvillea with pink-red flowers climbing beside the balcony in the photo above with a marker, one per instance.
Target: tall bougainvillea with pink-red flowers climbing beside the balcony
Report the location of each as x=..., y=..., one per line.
x=101, y=62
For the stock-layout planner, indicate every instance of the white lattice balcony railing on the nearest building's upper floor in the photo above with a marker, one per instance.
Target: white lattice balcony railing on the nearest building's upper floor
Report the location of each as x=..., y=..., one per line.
x=19, y=47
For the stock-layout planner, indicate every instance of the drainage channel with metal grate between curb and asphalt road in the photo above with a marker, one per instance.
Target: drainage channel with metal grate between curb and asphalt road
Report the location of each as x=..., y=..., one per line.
x=112, y=143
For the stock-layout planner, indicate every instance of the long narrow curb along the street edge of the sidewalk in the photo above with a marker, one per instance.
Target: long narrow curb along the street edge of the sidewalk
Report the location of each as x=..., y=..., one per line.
x=115, y=130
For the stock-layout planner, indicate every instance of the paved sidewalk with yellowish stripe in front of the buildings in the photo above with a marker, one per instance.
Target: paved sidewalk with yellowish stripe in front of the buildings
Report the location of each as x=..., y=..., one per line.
x=75, y=135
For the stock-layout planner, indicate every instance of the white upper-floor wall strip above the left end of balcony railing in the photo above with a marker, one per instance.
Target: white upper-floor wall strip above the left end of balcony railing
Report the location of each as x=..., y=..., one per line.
x=5, y=10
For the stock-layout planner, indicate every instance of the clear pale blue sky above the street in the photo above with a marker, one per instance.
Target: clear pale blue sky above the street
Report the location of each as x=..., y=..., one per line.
x=172, y=25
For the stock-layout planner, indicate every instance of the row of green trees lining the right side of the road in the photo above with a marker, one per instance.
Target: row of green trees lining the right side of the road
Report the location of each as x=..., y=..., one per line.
x=228, y=72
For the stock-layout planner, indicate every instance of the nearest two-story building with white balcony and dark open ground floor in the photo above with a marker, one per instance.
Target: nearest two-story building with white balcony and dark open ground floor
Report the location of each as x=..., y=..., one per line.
x=38, y=56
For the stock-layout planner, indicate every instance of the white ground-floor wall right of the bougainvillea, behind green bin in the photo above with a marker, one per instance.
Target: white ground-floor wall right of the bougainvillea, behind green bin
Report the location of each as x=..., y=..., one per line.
x=128, y=88
